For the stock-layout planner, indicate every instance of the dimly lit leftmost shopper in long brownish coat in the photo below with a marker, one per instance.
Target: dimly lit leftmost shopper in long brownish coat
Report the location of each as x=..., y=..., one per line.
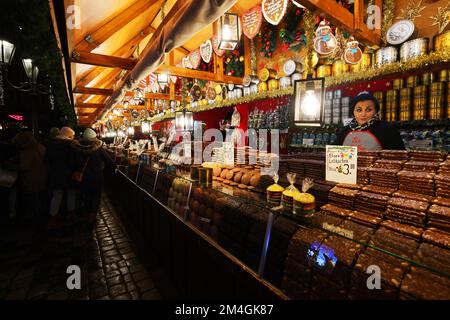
x=32, y=170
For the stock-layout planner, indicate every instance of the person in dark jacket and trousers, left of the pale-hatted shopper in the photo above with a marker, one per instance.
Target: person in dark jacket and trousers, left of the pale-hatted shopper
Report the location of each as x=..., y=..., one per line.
x=60, y=164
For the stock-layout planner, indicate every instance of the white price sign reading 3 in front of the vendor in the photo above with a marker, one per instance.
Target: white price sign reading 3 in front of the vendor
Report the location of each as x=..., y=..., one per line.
x=341, y=164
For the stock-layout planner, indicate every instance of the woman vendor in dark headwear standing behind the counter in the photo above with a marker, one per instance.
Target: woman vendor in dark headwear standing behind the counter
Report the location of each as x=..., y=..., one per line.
x=366, y=130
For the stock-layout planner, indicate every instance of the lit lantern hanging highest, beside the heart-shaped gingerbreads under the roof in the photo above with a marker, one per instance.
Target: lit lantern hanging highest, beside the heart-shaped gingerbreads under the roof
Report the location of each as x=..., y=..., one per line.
x=229, y=31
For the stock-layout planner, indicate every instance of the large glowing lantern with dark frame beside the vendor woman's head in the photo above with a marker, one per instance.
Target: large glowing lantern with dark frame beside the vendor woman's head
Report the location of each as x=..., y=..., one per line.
x=308, y=102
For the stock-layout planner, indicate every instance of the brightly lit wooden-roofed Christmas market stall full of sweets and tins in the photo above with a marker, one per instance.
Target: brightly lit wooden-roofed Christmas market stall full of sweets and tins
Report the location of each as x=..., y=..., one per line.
x=224, y=118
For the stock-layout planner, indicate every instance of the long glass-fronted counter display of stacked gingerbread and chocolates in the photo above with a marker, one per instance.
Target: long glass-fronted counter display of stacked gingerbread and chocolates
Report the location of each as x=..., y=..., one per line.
x=349, y=228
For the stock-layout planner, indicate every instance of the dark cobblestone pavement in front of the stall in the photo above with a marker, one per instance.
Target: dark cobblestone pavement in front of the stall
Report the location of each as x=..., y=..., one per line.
x=34, y=262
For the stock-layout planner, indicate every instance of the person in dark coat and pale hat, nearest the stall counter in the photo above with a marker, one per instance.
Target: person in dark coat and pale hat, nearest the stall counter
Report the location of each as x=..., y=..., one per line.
x=91, y=159
